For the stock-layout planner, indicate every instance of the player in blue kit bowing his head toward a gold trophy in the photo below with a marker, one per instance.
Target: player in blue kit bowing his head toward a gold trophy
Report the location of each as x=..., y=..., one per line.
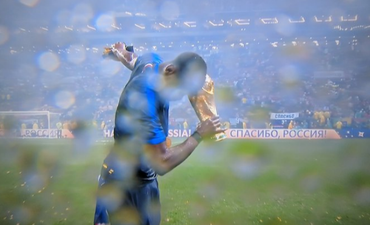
x=128, y=189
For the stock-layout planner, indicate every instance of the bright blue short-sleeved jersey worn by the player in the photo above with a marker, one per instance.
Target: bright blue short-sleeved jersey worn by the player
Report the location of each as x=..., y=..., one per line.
x=142, y=116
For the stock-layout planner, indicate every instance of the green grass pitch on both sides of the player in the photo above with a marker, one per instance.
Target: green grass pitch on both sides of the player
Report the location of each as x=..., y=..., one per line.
x=231, y=182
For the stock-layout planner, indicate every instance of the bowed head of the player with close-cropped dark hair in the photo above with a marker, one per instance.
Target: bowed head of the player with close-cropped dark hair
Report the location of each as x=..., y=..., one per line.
x=192, y=70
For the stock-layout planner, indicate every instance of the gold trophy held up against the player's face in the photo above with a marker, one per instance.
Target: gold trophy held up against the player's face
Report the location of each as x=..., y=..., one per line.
x=204, y=105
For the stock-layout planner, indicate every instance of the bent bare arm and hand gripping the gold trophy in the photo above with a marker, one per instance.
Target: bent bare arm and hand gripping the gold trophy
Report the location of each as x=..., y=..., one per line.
x=163, y=158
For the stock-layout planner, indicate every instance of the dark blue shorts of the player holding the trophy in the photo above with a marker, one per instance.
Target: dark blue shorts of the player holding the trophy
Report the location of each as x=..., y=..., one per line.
x=118, y=205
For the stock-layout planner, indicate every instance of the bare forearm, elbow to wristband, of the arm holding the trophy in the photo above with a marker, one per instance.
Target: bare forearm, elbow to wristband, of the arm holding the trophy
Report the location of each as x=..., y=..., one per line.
x=177, y=154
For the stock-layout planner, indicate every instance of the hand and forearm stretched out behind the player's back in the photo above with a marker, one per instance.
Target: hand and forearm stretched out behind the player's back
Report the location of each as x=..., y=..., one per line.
x=122, y=53
